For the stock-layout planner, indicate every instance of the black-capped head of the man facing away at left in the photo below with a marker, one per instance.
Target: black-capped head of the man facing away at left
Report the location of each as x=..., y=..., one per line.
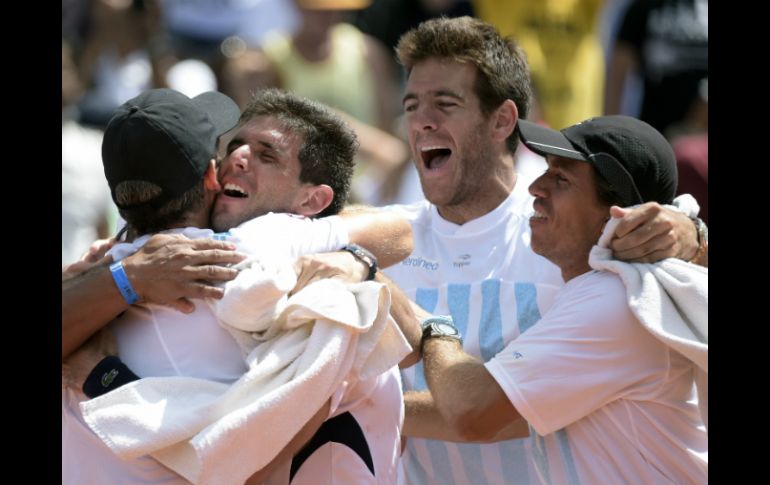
x=157, y=149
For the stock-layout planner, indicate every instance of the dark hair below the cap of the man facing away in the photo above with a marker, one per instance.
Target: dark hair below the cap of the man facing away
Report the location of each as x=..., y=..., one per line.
x=146, y=218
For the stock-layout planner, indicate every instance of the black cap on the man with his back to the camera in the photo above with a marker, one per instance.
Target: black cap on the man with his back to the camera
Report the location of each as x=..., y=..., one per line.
x=166, y=138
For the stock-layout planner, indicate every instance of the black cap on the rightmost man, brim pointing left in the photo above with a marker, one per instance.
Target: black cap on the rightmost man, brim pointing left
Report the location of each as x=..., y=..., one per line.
x=631, y=155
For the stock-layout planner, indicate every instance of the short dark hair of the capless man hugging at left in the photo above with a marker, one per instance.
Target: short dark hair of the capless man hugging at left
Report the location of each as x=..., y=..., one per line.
x=328, y=144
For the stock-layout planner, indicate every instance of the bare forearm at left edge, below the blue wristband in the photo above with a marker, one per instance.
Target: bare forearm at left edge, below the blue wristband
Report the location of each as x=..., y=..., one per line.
x=89, y=301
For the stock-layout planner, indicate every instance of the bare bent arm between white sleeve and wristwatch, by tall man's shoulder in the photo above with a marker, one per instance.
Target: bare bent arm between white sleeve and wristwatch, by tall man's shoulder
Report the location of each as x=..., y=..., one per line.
x=385, y=233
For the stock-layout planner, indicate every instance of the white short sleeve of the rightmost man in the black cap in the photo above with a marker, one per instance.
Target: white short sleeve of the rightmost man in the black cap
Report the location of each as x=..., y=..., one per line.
x=585, y=352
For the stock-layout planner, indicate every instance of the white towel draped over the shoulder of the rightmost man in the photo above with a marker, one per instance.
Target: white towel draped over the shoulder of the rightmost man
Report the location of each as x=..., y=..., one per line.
x=669, y=298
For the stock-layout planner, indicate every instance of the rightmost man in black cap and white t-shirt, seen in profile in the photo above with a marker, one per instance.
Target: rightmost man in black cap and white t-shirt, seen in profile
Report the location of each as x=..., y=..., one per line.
x=606, y=402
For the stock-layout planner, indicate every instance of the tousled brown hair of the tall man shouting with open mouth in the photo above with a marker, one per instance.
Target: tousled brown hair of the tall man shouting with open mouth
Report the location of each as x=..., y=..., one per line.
x=502, y=67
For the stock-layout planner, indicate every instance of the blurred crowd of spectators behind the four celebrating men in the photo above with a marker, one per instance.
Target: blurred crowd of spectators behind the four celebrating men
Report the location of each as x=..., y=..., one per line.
x=644, y=58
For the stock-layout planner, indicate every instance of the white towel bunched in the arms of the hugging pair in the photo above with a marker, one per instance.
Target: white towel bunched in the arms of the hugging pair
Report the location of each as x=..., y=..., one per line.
x=216, y=433
